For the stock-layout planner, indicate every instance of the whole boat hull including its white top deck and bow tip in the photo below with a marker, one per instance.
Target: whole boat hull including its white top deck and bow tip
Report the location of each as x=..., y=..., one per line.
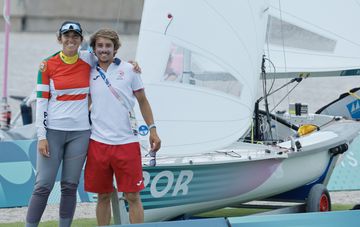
x=268, y=173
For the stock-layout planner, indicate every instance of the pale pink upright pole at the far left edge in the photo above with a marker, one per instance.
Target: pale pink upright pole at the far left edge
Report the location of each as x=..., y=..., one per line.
x=5, y=110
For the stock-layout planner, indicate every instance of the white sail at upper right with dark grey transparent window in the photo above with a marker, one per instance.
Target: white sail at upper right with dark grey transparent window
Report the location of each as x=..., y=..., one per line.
x=304, y=37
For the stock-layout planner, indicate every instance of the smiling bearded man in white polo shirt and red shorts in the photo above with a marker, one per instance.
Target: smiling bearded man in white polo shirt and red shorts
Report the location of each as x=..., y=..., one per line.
x=114, y=146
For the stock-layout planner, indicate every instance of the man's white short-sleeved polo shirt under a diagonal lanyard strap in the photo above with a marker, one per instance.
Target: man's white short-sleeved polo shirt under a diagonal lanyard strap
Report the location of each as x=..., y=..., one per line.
x=110, y=118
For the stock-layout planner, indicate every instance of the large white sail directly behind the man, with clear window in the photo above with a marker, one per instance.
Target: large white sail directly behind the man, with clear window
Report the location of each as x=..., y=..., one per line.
x=200, y=62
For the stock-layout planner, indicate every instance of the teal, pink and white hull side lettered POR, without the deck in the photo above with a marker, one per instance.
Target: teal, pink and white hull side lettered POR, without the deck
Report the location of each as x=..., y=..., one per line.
x=173, y=191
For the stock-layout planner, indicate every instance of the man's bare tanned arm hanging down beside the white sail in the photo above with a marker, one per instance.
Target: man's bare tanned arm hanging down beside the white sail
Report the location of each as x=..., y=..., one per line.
x=146, y=112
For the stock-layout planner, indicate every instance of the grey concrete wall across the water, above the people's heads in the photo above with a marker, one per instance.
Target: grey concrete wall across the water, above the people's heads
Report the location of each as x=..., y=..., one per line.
x=47, y=15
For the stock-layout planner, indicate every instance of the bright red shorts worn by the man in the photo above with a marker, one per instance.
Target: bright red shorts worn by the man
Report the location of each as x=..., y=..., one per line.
x=103, y=161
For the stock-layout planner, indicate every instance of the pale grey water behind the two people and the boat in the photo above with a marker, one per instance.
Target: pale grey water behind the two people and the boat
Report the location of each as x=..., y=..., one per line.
x=28, y=49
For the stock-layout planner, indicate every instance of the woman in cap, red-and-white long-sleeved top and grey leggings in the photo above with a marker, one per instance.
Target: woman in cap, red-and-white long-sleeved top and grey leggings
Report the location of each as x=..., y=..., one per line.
x=62, y=124
